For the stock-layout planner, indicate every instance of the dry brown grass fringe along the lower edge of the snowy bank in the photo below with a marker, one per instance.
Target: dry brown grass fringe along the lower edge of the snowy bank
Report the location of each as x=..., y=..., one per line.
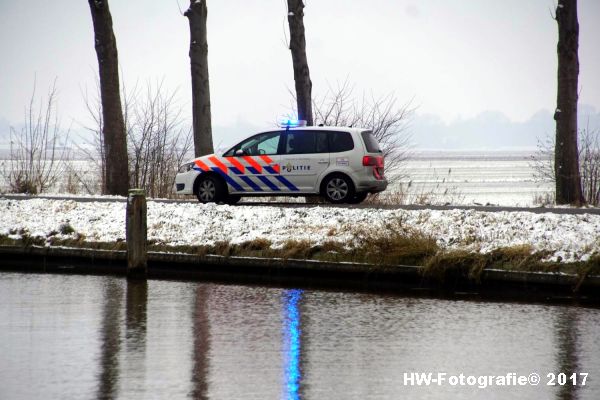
x=392, y=245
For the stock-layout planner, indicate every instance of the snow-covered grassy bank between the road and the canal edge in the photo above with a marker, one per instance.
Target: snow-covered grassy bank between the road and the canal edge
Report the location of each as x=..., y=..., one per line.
x=566, y=237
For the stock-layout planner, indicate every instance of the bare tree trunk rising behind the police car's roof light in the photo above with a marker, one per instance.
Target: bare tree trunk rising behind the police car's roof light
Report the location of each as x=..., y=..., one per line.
x=298, y=49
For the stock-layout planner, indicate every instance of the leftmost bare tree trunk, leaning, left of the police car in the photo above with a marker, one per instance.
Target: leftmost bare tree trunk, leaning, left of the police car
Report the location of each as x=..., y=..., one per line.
x=115, y=139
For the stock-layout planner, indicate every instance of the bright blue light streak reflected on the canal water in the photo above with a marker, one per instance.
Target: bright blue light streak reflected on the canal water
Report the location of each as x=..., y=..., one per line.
x=291, y=344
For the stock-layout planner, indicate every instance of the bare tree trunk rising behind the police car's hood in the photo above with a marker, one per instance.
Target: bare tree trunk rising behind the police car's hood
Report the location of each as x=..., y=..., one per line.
x=196, y=15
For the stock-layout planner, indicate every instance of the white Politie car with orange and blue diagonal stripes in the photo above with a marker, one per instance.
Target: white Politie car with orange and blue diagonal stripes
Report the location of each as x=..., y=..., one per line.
x=343, y=165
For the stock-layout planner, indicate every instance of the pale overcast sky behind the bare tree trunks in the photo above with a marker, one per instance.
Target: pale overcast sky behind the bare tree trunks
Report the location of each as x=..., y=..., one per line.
x=486, y=63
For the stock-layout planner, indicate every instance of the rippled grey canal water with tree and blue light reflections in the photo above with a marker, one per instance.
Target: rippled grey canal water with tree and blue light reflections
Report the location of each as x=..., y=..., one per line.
x=90, y=337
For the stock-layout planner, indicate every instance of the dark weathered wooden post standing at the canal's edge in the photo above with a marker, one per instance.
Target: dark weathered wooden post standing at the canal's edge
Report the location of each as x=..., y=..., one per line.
x=136, y=234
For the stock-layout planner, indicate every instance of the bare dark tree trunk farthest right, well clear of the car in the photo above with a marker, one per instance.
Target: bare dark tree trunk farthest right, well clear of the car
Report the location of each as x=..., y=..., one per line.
x=566, y=156
